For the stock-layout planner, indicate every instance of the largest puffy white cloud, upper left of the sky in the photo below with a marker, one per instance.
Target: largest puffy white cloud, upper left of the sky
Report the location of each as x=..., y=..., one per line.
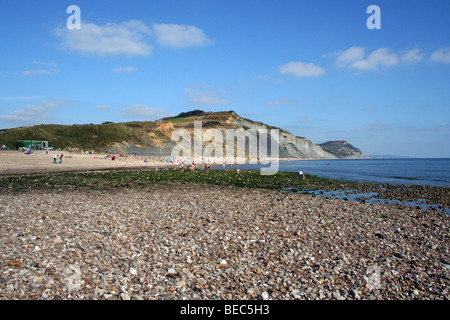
x=127, y=38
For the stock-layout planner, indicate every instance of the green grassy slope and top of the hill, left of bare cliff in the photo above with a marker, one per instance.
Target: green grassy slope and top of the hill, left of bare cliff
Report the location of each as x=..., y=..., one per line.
x=98, y=136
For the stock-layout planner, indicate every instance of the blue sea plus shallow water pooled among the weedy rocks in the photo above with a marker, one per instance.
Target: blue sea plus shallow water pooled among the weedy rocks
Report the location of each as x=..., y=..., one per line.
x=431, y=172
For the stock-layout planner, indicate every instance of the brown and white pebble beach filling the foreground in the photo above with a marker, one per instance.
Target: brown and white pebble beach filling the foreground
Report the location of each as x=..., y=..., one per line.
x=173, y=241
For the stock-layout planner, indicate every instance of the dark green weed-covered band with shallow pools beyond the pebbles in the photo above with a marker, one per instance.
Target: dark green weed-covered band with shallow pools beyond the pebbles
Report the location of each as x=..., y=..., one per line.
x=417, y=196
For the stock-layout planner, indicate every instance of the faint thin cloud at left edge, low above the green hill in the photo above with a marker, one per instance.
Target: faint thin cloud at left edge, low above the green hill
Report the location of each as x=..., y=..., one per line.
x=33, y=114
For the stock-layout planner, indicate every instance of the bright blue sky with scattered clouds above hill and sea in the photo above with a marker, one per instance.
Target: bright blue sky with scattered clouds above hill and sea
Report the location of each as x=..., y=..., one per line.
x=311, y=67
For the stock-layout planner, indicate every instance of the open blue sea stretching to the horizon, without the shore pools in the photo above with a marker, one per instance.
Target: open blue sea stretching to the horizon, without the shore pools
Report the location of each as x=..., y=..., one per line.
x=433, y=172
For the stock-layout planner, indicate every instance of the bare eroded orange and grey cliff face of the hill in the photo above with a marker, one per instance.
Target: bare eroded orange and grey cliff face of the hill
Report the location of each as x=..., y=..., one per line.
x=222, y=134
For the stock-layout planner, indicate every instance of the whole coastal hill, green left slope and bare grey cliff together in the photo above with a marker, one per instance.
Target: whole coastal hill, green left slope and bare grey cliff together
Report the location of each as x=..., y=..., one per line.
x=154, y=138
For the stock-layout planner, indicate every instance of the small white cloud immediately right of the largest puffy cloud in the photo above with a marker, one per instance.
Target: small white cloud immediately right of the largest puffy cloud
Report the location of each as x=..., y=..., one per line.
x=175, y=35
